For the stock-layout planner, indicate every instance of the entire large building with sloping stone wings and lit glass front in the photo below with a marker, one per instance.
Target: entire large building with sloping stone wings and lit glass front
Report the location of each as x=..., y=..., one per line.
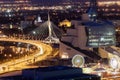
x=86, y=36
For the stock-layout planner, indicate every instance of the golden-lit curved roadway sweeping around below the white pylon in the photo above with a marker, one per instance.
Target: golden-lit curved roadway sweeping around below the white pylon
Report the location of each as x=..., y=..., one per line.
x=21, y=63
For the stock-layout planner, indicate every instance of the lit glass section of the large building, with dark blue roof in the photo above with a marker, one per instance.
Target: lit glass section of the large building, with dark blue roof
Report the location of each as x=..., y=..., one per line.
x=100, y=34
